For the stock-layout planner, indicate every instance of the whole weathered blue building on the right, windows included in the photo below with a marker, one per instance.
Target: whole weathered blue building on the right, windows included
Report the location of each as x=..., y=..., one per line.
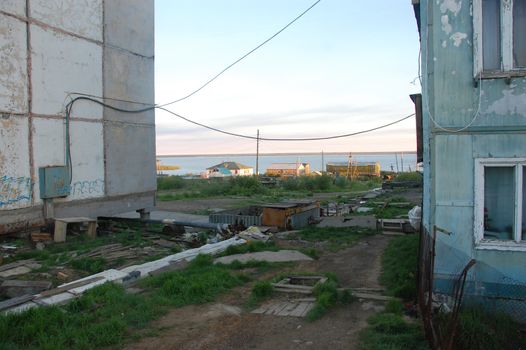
x=473, y=75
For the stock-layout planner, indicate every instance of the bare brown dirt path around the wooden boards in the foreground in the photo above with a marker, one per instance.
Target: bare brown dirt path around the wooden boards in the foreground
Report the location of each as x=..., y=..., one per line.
x=225, y=324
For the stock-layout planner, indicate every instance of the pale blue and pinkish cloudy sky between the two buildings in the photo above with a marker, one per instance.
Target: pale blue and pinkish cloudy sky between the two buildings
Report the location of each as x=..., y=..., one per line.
x=345, y=66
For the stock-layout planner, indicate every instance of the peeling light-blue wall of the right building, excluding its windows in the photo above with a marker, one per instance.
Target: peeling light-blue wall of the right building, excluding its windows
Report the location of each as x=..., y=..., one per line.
x=494, y=114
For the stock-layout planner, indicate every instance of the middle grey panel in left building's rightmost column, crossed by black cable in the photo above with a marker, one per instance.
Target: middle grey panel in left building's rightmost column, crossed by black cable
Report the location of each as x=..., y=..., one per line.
x=129, y=77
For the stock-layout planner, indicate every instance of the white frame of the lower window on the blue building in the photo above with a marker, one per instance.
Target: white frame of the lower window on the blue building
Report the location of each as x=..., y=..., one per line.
x=480, y=243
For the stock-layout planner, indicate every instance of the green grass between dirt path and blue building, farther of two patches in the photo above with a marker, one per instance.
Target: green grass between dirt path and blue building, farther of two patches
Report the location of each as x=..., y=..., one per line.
x=399, y=263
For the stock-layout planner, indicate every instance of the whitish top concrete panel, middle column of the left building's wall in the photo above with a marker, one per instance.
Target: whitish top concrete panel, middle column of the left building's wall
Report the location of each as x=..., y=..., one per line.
x=79, y=17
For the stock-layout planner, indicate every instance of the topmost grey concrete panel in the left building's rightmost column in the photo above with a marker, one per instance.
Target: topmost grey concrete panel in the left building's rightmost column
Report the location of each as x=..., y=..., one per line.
x=130, y=25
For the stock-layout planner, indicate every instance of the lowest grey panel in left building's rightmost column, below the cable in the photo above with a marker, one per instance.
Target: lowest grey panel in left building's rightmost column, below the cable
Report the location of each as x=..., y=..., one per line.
x=130, y=159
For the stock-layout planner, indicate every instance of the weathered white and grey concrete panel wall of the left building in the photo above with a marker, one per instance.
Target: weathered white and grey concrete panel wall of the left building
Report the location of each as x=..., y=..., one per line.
x=48, y=50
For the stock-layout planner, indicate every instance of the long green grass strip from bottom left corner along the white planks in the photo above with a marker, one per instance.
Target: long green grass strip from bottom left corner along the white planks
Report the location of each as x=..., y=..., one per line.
x=106, y=315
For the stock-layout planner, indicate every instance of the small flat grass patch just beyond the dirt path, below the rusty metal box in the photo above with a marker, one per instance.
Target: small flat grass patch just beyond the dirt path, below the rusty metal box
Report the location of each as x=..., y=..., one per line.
x=337, y=238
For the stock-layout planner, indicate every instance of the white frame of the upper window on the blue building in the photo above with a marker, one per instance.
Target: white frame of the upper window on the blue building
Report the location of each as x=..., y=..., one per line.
x=506, y=28
